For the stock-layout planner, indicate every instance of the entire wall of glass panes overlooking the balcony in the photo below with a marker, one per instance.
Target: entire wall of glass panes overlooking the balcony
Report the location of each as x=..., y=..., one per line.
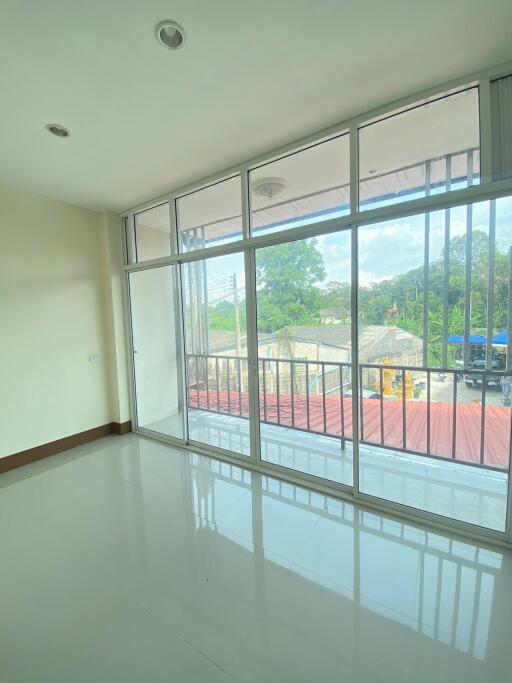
x=429, y=294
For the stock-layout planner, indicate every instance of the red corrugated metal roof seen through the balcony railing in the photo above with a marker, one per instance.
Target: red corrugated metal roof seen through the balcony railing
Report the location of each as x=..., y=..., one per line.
x=468, y=423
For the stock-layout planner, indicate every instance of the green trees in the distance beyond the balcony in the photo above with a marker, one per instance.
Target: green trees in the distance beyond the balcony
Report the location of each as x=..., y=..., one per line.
x=290, y=292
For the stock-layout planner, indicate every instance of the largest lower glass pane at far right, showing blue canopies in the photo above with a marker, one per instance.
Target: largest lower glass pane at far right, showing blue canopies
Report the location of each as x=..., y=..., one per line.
x=434, y=422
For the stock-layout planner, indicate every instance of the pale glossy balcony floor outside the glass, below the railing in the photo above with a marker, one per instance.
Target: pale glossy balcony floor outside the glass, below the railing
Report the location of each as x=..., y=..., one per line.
x=464, y=492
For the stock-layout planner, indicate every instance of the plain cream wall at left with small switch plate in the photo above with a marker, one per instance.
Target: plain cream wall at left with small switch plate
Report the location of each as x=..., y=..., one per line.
x=53, y=316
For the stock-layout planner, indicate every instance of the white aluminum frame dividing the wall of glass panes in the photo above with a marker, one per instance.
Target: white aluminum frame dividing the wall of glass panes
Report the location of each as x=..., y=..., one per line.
x=486, y=190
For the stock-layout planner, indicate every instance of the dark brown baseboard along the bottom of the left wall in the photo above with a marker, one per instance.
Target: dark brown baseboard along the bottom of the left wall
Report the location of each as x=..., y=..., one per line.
x=11, y=462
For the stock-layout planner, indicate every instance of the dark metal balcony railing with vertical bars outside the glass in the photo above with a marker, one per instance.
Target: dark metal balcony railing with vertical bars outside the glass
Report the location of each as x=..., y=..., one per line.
x=397, y=410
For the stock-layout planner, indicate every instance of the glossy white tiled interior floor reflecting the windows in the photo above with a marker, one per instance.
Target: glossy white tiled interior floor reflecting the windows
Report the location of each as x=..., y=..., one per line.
x=128, y=560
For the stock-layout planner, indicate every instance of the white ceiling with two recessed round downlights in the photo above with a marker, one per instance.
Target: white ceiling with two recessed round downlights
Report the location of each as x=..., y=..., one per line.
x=252, y=76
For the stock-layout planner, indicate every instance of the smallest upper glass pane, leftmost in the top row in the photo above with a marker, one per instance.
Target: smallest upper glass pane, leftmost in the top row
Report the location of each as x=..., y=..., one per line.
x=153, y=233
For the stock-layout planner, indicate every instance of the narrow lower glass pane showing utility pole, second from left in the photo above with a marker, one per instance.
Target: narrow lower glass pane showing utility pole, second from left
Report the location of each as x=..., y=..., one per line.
x=216, y=352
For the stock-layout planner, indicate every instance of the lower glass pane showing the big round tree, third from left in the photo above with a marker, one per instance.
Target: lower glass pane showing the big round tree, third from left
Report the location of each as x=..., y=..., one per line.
x=304, y=341
